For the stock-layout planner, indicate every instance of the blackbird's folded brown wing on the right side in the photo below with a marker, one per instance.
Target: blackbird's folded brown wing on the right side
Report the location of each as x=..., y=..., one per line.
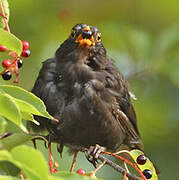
x=122, y=107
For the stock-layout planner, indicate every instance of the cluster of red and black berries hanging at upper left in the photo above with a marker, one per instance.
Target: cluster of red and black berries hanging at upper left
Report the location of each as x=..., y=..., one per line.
x=12, y=66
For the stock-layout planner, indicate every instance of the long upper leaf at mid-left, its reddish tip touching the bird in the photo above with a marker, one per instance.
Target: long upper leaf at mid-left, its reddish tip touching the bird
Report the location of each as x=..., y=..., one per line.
x=28, y=97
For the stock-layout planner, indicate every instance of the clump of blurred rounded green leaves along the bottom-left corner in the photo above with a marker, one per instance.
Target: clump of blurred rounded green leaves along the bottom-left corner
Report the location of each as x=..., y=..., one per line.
x=31, y=163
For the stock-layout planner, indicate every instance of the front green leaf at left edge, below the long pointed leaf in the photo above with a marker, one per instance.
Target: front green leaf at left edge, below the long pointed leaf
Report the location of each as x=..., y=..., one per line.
x=9, y=109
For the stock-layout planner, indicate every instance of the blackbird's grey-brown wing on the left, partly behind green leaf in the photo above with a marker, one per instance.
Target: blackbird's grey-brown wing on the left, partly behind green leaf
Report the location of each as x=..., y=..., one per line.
x=46, y=88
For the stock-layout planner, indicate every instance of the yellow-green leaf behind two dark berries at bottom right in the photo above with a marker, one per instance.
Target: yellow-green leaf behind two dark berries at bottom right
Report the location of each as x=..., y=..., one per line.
x=148, y=165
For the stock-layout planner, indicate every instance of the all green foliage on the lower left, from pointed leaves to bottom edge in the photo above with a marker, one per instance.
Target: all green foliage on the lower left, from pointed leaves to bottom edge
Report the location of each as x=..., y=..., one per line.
x=17, y=104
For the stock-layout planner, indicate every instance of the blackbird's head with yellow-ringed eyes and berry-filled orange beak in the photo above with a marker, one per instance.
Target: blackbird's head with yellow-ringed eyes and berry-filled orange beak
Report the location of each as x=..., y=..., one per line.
x=84, y=44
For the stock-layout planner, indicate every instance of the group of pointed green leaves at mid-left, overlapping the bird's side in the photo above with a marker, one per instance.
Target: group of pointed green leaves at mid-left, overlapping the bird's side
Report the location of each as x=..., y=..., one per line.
x=17, y=104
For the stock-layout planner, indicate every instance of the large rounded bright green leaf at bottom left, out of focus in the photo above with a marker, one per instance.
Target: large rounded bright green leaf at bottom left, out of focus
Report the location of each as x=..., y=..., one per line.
x=31, y=162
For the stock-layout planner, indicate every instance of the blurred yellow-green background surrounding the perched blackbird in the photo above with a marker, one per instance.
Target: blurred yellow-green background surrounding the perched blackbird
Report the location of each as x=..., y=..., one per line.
x=141, y=36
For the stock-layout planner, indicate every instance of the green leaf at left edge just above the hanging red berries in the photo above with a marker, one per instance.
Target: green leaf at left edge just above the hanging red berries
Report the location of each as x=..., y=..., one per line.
x=10, y=41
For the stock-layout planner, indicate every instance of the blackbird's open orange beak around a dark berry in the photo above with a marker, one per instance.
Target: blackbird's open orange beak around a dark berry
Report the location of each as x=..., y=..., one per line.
x=83, y=41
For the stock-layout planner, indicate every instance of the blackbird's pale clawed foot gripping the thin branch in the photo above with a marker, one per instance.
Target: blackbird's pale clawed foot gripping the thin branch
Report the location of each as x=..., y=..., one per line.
x=92, y=154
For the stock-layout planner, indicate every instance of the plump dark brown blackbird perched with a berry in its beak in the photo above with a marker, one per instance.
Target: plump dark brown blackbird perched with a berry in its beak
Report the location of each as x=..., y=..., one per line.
x=85, y=91
